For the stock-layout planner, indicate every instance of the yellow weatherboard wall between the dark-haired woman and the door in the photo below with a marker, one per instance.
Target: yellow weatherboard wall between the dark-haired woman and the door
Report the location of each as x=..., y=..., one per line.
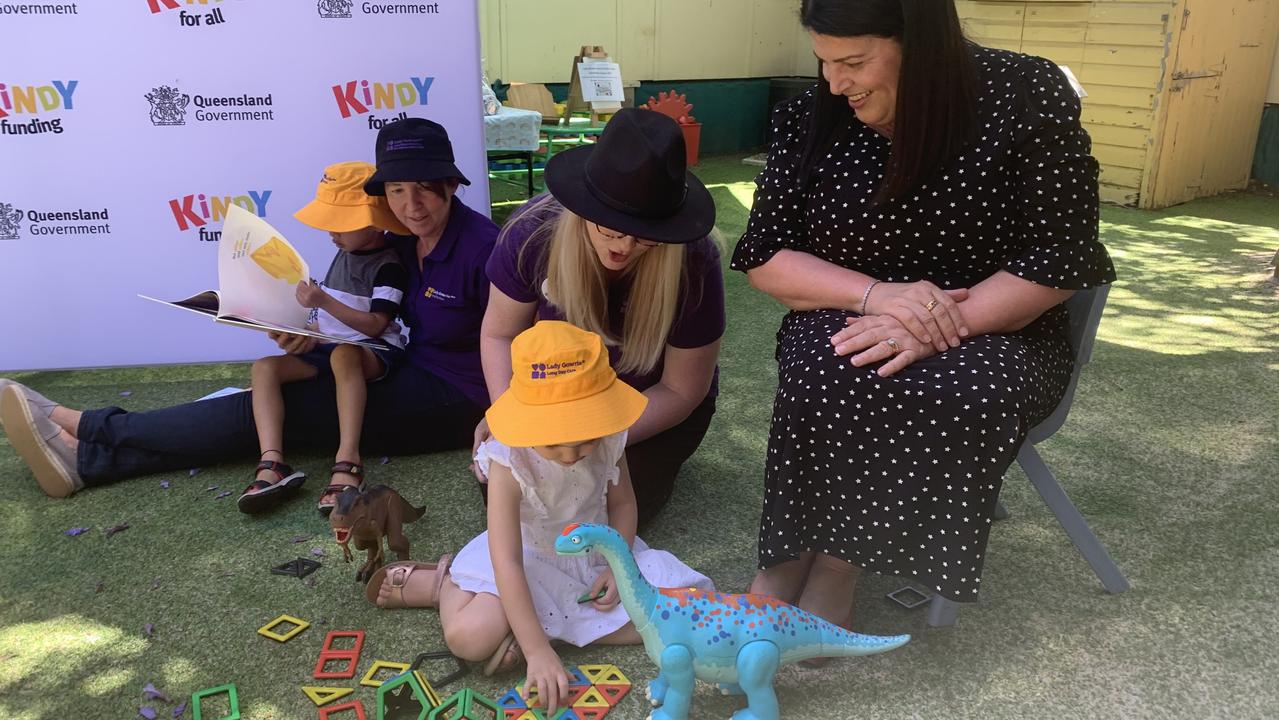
x=1117, y=51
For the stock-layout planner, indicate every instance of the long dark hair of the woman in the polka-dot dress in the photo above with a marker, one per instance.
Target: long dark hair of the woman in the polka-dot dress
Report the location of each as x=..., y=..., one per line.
x=937, y=107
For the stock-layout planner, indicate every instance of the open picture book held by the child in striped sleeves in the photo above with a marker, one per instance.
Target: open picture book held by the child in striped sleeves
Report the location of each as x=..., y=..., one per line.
x=258, y=279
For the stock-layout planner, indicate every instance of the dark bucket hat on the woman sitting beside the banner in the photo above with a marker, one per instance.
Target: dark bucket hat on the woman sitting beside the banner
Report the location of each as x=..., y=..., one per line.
x=414, y=150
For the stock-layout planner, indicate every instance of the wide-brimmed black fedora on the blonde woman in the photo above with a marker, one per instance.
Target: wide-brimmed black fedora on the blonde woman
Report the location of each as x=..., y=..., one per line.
x=635, y=181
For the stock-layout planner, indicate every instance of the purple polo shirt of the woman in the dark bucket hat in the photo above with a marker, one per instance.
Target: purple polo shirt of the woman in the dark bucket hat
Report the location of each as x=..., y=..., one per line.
x=446, y=301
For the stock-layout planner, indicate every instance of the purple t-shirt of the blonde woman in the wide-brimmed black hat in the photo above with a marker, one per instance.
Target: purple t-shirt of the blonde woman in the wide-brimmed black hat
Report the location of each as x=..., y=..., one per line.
x=699, y=320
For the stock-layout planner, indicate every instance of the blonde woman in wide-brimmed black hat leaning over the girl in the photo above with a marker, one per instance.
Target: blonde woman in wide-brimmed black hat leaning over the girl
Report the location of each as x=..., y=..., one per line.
x=622, y=247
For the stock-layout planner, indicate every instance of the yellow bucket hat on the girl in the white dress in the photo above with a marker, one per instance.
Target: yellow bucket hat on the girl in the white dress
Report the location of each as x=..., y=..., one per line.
x=563, y=391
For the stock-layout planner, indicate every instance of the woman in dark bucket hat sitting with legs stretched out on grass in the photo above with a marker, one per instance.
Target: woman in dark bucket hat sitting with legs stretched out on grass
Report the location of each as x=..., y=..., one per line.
x=429, y=403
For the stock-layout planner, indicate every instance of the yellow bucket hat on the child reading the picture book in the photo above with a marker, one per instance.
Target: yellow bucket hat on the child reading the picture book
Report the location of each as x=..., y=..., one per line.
x=341, y=204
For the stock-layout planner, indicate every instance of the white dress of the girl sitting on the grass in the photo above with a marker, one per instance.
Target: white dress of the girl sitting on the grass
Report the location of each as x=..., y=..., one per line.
x=556, y=496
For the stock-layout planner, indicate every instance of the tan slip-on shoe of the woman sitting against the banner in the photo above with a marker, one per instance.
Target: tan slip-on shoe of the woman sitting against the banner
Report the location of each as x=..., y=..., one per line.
x=36, y=439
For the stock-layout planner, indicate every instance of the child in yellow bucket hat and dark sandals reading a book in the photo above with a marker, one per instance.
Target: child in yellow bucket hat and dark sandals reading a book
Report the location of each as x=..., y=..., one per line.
x=359, y=300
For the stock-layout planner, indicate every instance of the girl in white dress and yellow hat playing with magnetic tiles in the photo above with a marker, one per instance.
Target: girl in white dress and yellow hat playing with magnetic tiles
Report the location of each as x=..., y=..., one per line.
x=557, y=457
